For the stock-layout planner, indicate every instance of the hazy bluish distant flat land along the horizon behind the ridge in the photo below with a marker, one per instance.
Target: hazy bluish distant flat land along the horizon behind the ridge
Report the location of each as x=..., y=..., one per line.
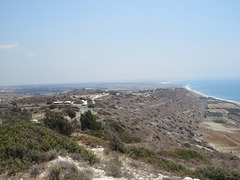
x=8, y=93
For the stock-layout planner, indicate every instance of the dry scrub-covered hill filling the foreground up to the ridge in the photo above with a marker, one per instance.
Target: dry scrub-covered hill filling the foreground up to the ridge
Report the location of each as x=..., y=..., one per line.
x=131, y=130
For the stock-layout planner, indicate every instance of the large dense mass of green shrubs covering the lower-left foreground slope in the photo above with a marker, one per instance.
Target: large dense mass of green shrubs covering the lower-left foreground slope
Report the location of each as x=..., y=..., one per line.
x=24, y=143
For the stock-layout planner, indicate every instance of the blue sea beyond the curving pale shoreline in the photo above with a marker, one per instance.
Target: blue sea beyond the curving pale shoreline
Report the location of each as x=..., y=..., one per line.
x=225, y=89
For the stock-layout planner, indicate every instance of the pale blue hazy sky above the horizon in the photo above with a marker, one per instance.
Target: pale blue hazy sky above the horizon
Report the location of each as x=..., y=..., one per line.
x=62, y=41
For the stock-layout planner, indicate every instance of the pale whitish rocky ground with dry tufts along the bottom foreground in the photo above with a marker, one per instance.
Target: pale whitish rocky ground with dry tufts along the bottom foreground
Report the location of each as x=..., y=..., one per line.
x=129, y=169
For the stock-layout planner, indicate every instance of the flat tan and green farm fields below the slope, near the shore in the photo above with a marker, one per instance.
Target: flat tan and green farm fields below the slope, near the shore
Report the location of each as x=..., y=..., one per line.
x=222, y=127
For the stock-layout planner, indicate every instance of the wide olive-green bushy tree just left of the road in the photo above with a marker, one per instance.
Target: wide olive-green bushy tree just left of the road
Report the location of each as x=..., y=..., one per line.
x=57, y=122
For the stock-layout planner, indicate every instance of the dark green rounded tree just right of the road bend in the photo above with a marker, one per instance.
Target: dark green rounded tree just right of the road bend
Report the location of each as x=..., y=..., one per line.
x=88, y=121
